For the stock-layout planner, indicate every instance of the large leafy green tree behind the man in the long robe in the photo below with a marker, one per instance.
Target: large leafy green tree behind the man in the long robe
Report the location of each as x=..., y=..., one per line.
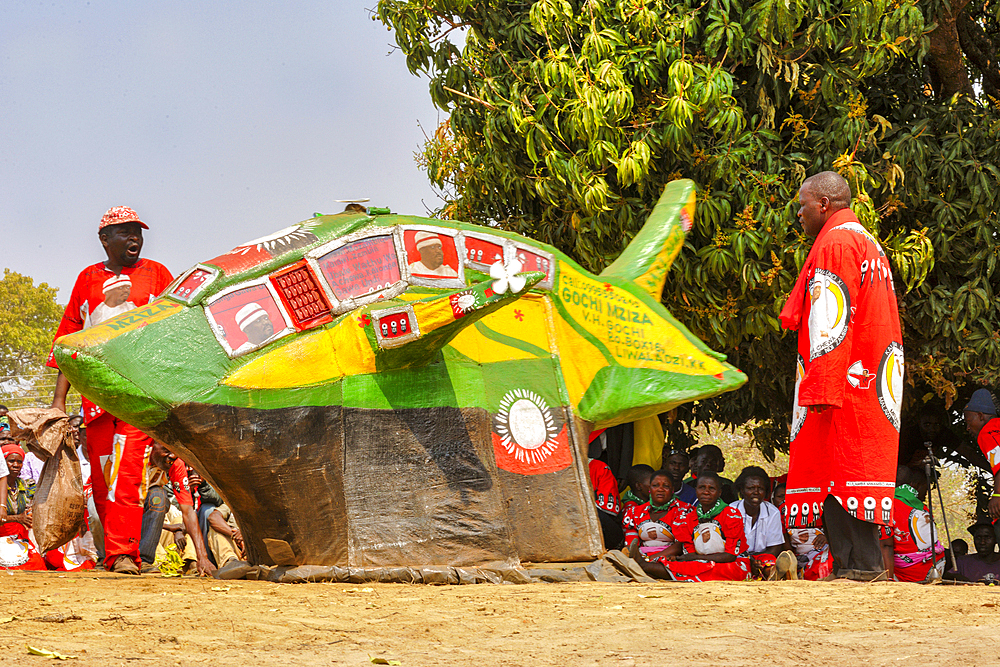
x=567, y=117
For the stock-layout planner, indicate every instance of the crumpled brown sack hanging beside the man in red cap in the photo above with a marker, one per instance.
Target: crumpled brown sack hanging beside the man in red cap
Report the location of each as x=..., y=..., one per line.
x=59, y=503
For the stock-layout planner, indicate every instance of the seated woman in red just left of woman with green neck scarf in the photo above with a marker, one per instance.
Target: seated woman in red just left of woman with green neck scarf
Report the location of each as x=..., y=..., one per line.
x=656, y=529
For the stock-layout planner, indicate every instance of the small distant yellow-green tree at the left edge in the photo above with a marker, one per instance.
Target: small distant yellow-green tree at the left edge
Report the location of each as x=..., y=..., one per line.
x=29, y=316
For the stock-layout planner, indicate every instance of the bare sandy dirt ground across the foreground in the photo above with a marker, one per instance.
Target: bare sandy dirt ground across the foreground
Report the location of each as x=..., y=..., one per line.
x=116, y=620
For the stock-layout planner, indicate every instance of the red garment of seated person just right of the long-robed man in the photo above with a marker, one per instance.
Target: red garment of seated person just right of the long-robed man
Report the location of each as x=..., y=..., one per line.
x=911, y=537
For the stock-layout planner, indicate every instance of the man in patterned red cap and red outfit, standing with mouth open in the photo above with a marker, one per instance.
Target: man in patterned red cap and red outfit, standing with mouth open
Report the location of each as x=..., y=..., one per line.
x=120, y=283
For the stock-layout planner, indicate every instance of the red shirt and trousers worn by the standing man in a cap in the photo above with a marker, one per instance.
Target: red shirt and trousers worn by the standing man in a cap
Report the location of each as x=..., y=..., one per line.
x=114, y=447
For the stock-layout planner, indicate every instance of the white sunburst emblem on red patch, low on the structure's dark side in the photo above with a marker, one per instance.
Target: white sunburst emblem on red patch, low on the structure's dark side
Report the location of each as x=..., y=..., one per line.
x=526, y=427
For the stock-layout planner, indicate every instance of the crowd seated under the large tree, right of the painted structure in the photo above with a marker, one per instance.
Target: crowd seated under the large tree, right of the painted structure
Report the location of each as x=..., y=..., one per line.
x=708, y=537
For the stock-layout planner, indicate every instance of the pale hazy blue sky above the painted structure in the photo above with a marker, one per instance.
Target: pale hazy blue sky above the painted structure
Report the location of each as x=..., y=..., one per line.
x=217, y=122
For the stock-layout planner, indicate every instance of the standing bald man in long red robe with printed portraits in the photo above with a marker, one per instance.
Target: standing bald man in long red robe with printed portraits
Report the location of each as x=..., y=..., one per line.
x=848, y=380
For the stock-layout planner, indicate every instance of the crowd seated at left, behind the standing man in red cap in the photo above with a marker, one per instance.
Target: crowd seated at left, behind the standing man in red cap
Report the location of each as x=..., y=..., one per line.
x=177, y=501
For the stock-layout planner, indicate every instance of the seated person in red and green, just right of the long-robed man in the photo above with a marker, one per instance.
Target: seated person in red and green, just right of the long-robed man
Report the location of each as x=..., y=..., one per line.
x=913, y=558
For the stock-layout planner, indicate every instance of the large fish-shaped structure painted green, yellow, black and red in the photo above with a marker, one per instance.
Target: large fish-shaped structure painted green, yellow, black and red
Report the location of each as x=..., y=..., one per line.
x=376, y=390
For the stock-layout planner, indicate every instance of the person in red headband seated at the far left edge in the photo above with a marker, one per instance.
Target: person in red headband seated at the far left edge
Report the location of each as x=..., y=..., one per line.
x=17, y=552
